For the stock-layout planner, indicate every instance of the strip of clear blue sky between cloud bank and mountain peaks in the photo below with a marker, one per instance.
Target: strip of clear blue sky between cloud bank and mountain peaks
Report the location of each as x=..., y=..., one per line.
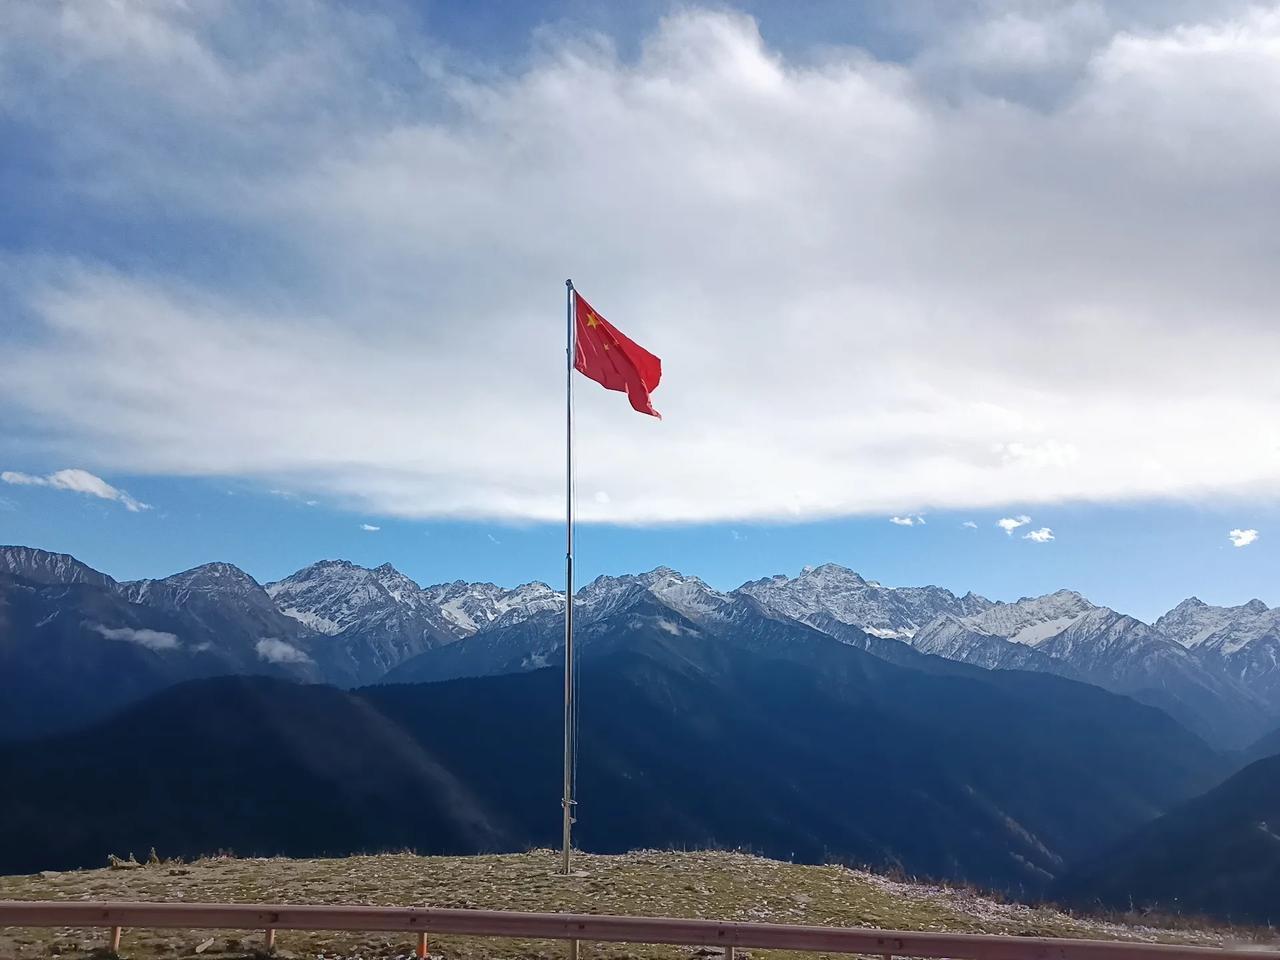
x=1140, y=559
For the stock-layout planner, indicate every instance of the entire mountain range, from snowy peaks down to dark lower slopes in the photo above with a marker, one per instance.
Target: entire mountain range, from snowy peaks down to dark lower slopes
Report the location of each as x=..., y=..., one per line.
x=1040, y=747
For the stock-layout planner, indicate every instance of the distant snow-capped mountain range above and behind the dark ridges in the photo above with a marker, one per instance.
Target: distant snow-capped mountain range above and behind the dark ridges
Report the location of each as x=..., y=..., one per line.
x=1217, y=670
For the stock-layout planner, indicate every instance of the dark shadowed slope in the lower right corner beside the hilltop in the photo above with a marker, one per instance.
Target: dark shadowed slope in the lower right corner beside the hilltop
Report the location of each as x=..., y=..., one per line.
x=1218, y=854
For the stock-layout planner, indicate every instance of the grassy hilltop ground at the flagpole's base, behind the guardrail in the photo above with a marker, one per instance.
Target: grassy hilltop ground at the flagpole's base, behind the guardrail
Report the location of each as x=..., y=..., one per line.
x=708, y=885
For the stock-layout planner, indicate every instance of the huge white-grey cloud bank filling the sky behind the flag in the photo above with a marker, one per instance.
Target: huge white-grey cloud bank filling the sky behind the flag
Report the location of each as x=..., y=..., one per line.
x=892, y=214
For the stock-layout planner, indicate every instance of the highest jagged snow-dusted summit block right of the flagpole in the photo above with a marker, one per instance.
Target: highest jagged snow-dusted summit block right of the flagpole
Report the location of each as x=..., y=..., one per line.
x=838, y=592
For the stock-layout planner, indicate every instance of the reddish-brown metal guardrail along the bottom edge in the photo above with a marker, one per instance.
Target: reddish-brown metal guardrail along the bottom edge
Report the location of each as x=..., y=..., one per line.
x=729, y=935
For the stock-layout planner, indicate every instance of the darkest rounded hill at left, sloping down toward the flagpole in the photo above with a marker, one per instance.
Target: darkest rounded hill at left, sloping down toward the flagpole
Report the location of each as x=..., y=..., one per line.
x=250, y=765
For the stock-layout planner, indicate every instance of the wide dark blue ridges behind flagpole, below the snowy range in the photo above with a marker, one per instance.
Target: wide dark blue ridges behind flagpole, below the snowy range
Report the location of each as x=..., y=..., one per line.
x=685, y=740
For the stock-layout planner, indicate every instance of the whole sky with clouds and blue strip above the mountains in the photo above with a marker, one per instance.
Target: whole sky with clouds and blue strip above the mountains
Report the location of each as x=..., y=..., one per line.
x=285, y=281
